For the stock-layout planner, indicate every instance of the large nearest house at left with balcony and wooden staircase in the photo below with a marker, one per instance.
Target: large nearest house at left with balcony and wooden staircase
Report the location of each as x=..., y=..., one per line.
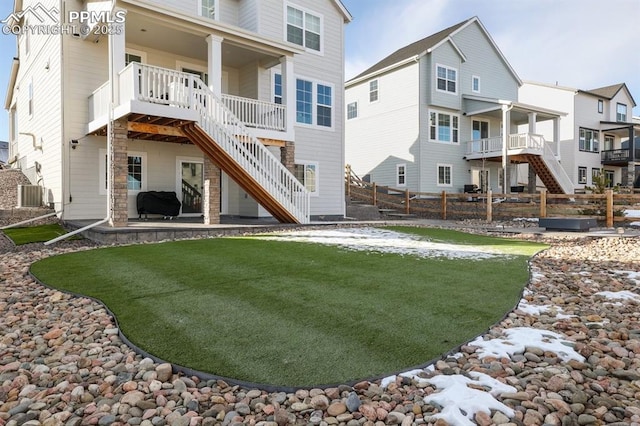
x=236, y=105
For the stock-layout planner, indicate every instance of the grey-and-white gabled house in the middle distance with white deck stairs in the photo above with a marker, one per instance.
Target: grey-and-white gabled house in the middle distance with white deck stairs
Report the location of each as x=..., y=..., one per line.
x=435, y=116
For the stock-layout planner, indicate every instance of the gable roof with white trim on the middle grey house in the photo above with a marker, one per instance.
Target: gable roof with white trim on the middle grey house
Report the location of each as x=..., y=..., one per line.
x=426, y=45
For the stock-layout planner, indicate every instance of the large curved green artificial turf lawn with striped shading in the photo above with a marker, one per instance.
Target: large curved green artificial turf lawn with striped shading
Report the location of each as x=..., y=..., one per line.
x=294, y=314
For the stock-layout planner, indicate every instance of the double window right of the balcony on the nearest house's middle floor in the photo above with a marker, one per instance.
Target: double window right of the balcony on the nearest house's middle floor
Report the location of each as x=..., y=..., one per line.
x=319, y=112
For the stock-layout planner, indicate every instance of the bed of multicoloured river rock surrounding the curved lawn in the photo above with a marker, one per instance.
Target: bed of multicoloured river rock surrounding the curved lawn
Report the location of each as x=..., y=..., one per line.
x=62, y=362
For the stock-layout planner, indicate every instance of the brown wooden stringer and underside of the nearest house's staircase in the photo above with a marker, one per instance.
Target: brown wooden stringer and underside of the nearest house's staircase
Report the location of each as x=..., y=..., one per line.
x=240, y=175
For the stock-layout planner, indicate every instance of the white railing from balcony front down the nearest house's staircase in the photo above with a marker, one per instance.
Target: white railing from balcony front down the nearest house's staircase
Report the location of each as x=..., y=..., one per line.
x=184, y=90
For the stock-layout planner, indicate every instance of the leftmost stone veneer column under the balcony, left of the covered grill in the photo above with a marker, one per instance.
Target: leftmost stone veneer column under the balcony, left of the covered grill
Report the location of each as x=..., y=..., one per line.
x=119, y=195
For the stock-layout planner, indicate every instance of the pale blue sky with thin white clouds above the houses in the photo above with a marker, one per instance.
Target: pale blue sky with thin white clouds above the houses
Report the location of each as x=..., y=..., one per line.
x=577, y=43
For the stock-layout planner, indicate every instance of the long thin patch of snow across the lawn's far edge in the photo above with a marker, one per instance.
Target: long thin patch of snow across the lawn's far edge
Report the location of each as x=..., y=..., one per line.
x=385, y=241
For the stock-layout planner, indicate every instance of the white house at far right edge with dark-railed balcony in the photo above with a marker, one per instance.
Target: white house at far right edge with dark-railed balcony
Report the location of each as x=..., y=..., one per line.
x=597, y=135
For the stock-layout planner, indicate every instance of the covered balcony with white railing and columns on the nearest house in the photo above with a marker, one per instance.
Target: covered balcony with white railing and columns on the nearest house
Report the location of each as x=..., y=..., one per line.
x=156, y=62
